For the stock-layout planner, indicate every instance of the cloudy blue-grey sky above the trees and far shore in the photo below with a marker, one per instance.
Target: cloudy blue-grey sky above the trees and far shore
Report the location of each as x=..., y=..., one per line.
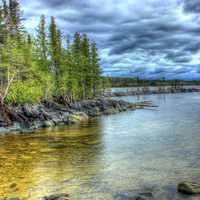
x=146, y=38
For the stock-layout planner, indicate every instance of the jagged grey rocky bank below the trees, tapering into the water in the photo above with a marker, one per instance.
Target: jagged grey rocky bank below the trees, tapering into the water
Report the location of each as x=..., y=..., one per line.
x=27, y=118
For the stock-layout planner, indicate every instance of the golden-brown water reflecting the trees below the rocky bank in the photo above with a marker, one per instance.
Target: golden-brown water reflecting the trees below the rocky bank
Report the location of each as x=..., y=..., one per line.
x=48, y=162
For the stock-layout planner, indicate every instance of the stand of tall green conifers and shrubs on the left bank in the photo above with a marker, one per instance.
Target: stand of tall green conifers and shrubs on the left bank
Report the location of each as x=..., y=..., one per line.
x=47, y=65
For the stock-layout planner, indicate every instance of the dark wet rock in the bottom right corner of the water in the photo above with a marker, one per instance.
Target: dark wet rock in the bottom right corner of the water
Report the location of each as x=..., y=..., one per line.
x=189, y=188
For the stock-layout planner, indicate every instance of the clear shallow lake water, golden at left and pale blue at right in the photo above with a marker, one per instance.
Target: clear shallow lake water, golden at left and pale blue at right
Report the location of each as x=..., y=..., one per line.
x=122, y=154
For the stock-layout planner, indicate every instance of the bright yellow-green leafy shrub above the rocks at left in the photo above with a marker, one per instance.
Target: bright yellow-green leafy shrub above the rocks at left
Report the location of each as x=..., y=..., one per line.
x=24, y=92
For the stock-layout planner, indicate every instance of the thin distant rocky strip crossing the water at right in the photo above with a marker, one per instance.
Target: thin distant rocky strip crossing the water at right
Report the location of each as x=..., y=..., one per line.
x=147, y=91
